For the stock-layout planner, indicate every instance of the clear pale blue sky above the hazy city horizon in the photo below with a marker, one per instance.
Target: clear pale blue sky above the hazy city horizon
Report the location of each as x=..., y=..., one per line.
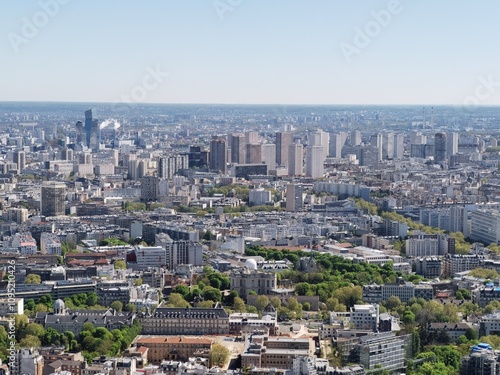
x=251, y=51
